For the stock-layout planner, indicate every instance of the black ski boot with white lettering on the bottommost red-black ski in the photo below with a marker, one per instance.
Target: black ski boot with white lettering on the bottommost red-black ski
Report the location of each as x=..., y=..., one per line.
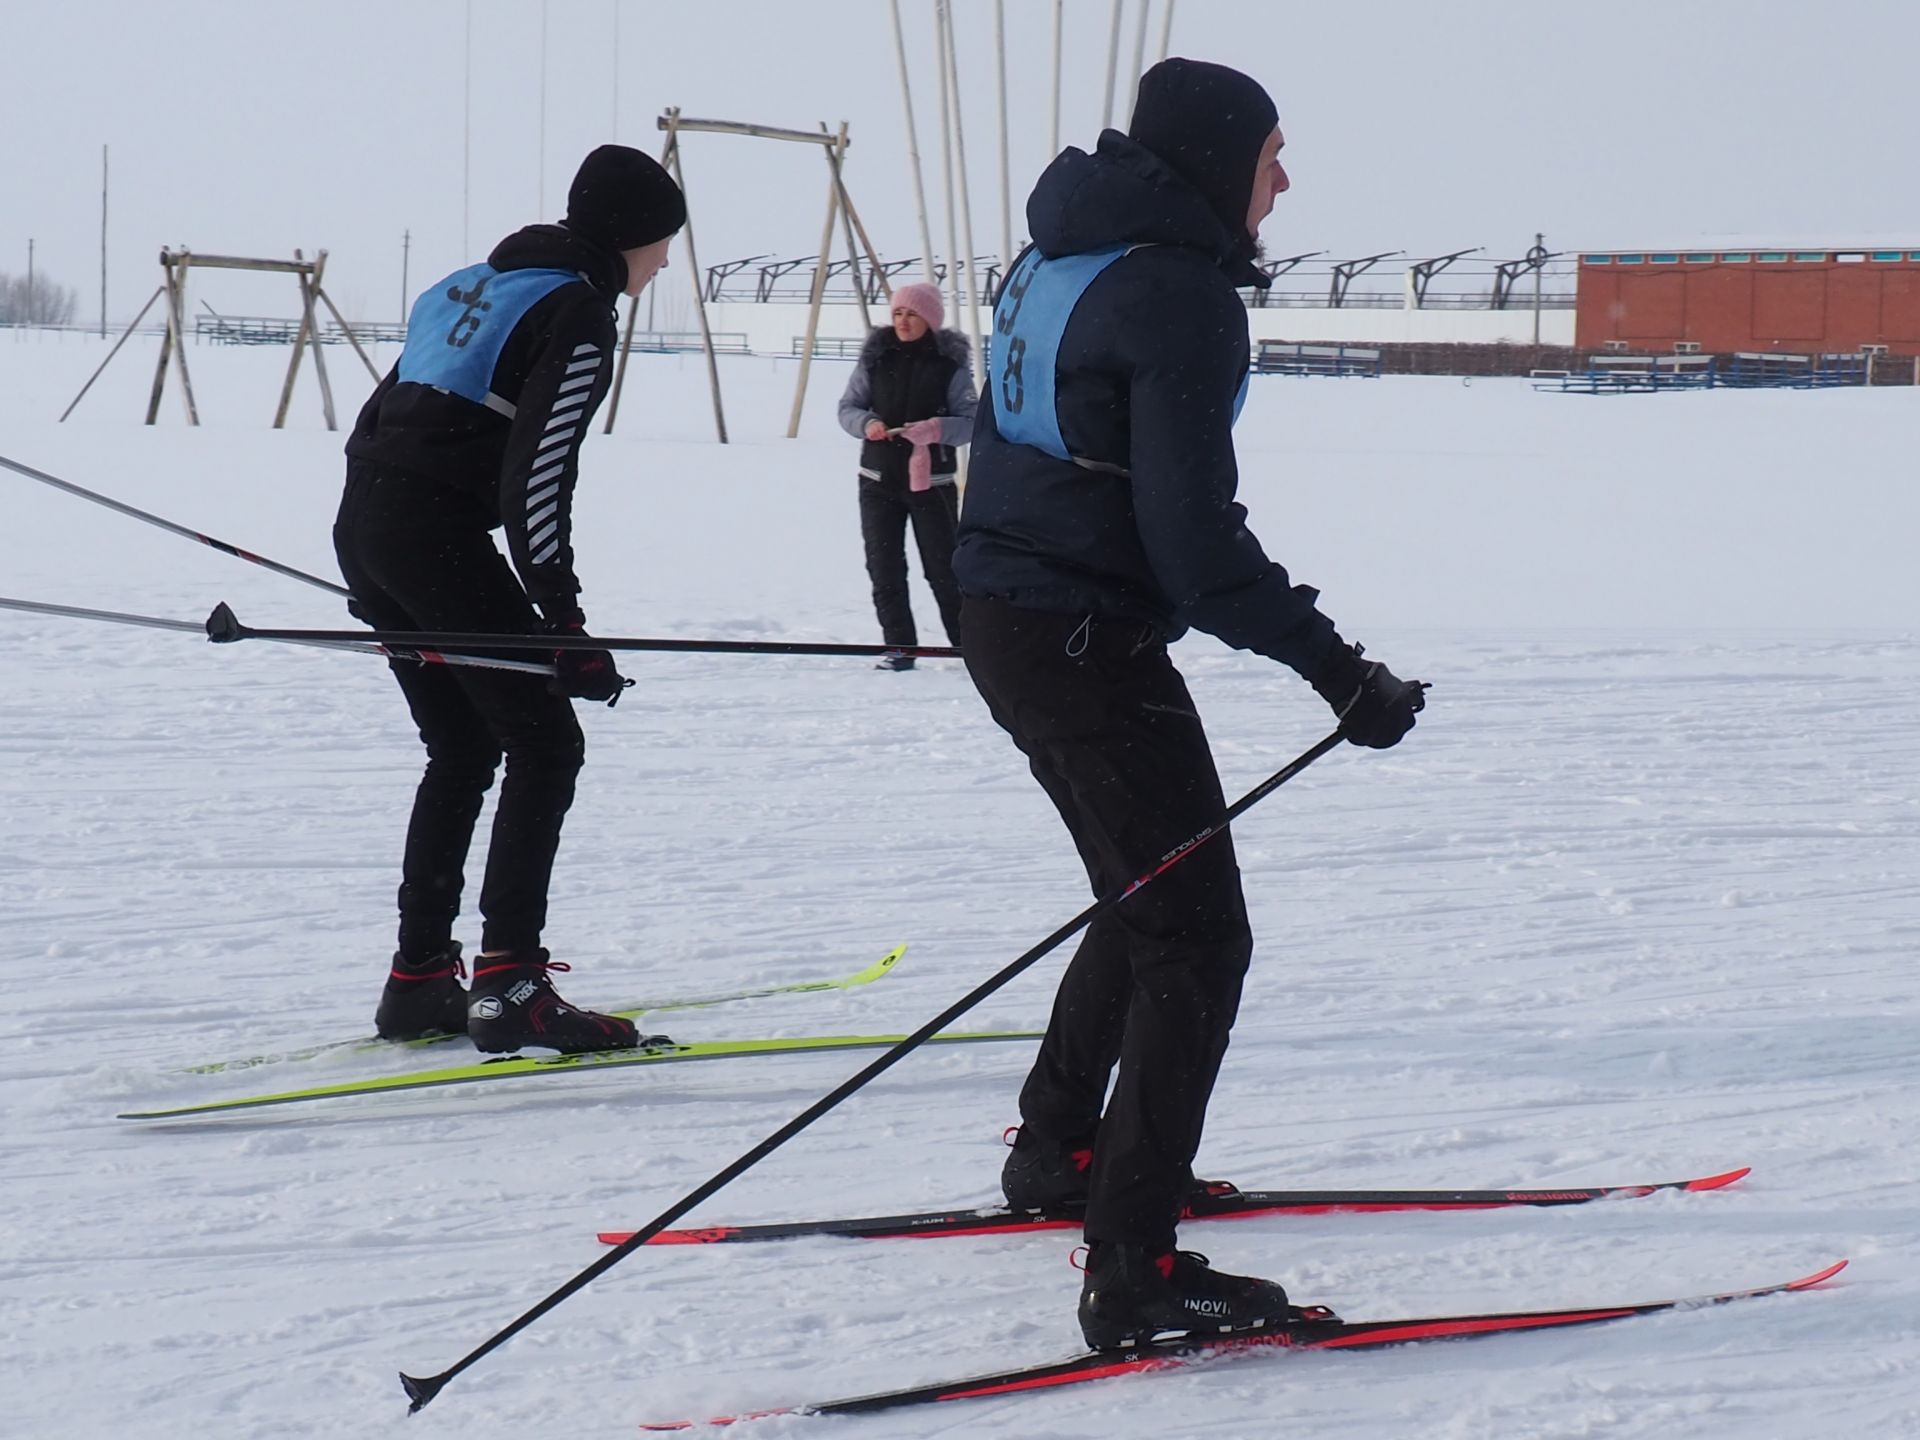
x=1134, y=1295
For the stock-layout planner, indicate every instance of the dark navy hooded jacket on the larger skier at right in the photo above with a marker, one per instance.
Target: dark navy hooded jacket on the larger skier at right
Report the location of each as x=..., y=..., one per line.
x=1143, y=521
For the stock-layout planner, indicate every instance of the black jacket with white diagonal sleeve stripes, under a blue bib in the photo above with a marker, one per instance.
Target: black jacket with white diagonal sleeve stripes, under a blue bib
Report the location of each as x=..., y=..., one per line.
x=514, y=462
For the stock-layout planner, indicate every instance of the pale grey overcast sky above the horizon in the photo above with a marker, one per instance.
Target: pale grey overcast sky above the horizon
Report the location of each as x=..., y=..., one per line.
x=254, y=128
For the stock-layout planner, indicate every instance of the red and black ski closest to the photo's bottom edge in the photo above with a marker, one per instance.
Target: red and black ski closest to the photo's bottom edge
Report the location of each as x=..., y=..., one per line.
x=1318, y=1332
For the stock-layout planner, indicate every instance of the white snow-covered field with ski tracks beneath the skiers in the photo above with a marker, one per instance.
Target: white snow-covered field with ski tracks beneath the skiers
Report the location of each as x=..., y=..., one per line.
x=1637, y=901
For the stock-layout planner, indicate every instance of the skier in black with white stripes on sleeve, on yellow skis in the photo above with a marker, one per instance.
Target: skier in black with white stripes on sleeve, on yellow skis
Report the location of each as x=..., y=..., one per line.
x=479, y=429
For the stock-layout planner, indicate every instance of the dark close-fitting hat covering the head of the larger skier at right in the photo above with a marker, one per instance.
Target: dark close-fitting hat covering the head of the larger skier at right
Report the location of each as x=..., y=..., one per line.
x=1207, y=124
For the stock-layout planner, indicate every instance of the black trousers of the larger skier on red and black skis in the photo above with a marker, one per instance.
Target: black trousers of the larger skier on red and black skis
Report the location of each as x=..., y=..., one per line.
x=1151, y=996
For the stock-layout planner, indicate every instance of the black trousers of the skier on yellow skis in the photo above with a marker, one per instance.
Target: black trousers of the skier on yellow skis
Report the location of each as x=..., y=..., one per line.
x=420, y=556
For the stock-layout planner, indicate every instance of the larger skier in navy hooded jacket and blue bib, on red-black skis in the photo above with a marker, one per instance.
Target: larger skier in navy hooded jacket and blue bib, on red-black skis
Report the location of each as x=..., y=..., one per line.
x=1101, y=523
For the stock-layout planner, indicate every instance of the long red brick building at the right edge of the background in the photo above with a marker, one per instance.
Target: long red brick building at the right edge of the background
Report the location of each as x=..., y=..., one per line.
x=1806, y=302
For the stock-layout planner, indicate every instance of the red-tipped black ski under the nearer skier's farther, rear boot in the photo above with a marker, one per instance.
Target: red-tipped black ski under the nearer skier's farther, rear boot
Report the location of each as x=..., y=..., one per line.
x=1222, y=1203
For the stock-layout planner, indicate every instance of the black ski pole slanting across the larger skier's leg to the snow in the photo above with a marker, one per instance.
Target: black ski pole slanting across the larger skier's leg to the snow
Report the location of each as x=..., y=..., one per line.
x=421, y=1391
